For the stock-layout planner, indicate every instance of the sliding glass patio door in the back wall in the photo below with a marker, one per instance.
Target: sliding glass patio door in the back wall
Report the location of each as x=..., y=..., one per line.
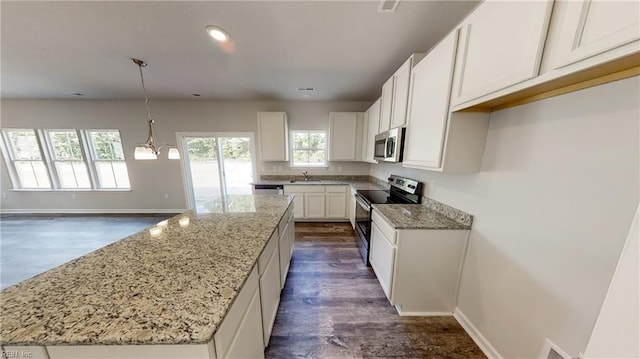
x=216, y=165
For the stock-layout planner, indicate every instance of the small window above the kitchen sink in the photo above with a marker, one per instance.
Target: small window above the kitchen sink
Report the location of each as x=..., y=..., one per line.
x=309, y=148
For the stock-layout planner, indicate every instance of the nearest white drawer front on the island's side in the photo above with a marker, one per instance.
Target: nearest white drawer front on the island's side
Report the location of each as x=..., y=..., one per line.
x=227, y=332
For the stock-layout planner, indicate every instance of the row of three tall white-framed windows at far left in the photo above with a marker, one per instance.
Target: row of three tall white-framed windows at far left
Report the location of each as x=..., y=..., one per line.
x=65, y=159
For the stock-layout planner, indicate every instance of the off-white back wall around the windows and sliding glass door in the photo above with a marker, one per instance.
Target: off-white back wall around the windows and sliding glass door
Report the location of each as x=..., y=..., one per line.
x=151, y=180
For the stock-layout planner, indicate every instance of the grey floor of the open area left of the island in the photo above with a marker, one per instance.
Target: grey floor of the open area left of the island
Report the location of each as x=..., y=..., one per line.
x=31, y=245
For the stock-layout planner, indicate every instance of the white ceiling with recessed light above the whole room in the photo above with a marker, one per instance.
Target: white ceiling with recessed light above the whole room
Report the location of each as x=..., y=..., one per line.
x=344, y=49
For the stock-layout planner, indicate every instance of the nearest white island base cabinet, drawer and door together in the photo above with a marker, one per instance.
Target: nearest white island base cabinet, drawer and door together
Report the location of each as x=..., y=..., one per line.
x=240, y=334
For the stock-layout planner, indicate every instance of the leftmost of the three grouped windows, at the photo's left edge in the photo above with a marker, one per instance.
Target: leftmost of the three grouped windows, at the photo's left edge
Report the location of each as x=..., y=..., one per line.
x=23, y=153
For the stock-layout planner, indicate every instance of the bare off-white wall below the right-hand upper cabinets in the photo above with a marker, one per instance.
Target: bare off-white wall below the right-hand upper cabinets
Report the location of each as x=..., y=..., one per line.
x=553, y=204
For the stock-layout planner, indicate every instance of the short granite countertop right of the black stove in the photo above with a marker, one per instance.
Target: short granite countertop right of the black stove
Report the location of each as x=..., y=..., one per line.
x=416, y=216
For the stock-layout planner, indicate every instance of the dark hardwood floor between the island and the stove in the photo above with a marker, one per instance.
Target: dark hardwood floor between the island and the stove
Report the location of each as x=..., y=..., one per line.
x=333, y=307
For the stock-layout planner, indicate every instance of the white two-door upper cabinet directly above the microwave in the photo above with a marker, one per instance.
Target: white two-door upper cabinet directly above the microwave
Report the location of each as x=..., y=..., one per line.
x=395, y=96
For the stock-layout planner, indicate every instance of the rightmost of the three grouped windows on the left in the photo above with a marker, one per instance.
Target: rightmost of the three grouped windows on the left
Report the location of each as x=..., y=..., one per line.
x=108, y=158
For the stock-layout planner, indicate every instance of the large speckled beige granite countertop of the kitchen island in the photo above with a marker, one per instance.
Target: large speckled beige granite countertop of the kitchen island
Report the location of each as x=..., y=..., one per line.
x=168, y=284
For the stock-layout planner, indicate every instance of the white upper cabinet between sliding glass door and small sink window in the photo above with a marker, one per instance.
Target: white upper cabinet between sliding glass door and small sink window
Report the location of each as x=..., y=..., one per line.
x=273, y=133
